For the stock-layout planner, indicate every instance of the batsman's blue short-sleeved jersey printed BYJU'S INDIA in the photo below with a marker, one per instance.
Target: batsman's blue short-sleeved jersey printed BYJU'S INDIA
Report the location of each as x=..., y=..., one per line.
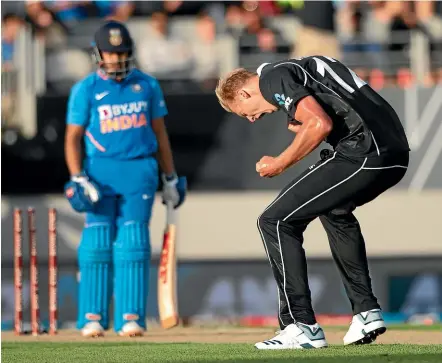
x=117, y=116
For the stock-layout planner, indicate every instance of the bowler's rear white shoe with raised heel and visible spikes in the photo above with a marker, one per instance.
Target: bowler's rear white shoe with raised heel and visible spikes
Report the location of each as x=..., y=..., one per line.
x=365, y=327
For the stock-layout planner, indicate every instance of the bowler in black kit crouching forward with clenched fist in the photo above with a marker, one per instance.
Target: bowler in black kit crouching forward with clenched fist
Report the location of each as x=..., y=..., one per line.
x=324, y=101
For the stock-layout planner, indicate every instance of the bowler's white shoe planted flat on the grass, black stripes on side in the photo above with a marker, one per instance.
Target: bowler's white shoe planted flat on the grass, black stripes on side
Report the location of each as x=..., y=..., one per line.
x=296, y=336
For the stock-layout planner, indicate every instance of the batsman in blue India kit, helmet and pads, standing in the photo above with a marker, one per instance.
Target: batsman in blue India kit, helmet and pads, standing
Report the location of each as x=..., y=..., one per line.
x=119, y=113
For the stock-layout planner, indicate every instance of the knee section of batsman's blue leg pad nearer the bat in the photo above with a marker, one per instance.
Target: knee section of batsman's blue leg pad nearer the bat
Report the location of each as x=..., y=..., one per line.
x=133, y=242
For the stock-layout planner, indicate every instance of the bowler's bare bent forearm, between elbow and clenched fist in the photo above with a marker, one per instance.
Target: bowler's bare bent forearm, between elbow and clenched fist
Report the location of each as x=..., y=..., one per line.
x=307, y=139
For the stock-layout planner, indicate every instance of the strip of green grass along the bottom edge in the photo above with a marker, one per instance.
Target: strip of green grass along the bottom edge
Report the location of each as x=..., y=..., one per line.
x=198, y=352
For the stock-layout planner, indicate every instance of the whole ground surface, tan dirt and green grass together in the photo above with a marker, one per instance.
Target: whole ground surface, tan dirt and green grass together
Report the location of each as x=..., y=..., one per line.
x=66, y=349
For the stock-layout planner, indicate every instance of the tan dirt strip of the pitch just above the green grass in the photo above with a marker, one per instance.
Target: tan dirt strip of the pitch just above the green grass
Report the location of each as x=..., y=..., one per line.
x=224, y=335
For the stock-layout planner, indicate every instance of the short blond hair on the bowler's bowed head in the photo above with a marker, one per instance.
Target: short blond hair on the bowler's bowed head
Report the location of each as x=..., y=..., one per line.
x=228, y=86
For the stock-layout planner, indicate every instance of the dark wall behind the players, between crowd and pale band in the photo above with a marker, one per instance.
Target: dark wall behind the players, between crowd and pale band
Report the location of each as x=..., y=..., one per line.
x=217, y=150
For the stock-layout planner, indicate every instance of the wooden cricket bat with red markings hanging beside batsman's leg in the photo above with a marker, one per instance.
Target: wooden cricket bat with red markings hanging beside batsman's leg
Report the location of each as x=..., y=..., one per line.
x=167, y=285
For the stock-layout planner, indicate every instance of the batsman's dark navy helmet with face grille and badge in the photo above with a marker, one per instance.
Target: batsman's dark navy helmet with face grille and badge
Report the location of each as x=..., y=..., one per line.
x=114, y=37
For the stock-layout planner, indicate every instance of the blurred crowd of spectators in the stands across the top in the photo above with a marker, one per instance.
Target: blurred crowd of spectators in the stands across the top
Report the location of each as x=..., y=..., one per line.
x=361, y=33
